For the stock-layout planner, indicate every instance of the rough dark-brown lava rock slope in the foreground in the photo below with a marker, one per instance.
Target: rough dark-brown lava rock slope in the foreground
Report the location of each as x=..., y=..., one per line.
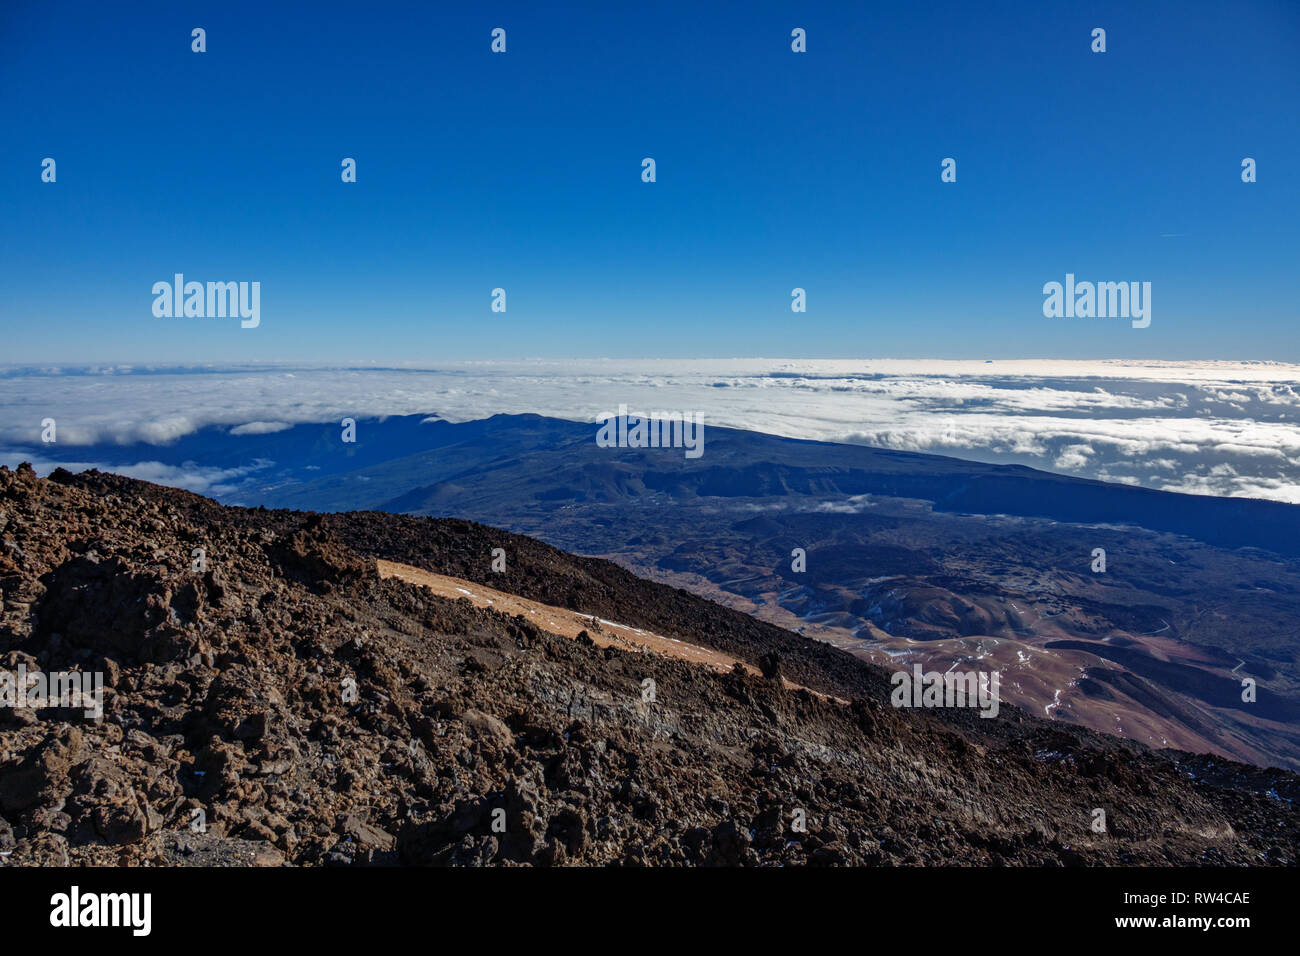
x=284, y=704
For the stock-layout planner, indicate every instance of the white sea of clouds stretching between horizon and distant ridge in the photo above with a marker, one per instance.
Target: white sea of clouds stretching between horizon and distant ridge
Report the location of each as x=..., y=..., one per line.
x=1223, y=429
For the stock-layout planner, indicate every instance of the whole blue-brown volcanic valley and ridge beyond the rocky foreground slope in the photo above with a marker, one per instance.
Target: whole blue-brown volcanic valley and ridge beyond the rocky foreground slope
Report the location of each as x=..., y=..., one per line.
x=911, y=559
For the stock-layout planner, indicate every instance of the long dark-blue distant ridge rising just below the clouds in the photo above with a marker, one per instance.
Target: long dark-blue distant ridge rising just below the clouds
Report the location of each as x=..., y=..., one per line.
x=402, y=464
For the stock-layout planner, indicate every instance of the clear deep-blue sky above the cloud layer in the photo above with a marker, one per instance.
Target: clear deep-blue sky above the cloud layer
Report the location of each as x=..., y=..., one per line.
x=525, y=171
